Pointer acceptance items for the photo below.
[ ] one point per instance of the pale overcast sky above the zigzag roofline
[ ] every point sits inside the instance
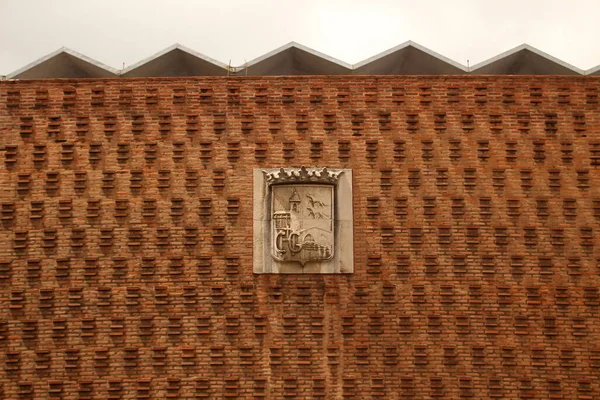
(117, 32)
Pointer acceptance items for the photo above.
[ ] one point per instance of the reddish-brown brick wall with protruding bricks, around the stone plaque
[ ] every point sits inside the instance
(126, 228)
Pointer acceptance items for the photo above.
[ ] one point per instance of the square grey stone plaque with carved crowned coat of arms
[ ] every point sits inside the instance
(303, 220)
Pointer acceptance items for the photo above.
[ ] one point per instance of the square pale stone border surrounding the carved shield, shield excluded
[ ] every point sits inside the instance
(343, 257)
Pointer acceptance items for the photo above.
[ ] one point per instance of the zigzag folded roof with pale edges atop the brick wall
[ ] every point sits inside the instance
(293, 58)
